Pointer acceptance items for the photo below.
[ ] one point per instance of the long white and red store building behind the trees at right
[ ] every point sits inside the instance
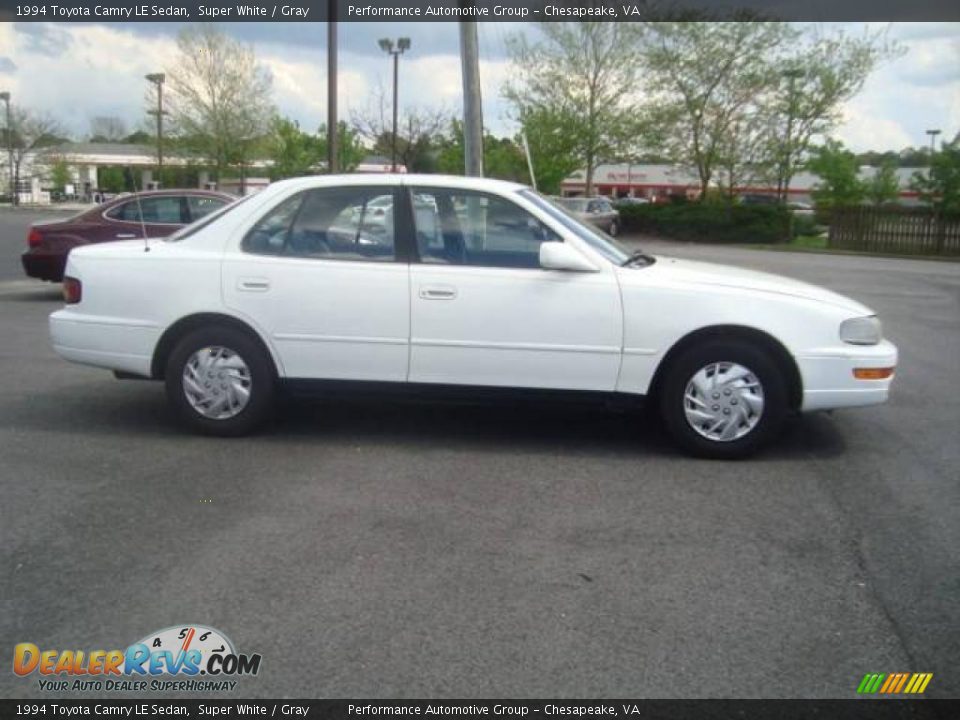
(659, 183)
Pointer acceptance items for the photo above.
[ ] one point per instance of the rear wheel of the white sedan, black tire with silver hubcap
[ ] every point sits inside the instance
(245, 396)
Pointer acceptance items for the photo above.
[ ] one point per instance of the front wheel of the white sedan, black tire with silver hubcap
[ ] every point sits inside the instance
(754, 404)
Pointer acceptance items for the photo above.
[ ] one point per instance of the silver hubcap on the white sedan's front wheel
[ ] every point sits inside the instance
(723, 401)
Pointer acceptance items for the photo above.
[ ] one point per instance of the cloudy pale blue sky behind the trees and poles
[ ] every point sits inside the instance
(78, 71)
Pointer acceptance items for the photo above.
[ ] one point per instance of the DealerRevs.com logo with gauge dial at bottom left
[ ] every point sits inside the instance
(183, 657)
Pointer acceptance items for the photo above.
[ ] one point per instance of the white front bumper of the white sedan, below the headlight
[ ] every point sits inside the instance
(829, 382)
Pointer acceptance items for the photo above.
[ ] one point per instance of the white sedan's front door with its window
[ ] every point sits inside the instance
(483, 311)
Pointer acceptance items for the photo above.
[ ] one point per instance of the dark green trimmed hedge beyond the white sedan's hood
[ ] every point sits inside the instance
(710, 222)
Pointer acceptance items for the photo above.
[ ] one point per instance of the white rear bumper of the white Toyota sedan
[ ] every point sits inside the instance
(112, 343)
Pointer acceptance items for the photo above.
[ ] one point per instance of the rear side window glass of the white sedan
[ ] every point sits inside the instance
(328, 223)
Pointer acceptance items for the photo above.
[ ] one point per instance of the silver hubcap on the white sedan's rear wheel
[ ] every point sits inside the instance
(216, 382)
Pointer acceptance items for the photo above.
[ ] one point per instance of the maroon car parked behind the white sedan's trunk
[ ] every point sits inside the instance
(164, 211)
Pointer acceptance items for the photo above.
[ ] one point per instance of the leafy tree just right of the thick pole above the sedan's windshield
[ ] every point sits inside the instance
(581, 79)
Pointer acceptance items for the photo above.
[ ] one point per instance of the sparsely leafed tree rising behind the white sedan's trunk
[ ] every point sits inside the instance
(220, 98)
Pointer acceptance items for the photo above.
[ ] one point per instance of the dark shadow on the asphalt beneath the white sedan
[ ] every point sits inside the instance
(139, 409)
